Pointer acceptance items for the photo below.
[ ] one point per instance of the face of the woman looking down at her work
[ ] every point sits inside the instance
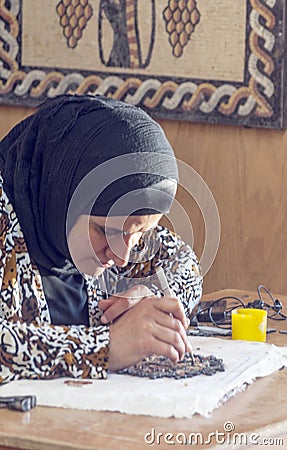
(97, 243)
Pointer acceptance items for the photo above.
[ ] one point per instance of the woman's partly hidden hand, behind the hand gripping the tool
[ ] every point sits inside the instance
(116, 305)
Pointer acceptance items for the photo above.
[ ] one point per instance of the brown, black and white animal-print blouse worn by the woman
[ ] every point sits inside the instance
(30, 346)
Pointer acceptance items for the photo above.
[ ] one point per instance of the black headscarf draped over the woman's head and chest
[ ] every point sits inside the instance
(46, 157)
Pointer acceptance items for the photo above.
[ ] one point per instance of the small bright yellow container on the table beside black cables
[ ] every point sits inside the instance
(249, 324)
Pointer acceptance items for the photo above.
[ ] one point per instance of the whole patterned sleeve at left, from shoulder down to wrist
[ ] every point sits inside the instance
(37, 349)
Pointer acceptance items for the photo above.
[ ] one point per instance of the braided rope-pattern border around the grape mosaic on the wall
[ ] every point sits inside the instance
(259, 101)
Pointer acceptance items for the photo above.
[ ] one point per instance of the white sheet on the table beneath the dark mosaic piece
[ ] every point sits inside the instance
(244, 362)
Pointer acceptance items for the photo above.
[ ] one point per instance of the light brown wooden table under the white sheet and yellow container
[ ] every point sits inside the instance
(261, 408)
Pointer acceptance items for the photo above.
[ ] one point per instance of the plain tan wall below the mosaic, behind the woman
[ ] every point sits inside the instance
(246, 170)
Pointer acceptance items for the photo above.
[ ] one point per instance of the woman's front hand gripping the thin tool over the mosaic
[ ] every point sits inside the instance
(152, 326)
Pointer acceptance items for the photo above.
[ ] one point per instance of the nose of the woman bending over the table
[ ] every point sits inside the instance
(119, 248)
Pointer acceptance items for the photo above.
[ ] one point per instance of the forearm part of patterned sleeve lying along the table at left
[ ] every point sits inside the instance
(35, 352)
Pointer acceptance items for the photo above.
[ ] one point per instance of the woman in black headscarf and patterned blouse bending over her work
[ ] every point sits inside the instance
(84, 183)
